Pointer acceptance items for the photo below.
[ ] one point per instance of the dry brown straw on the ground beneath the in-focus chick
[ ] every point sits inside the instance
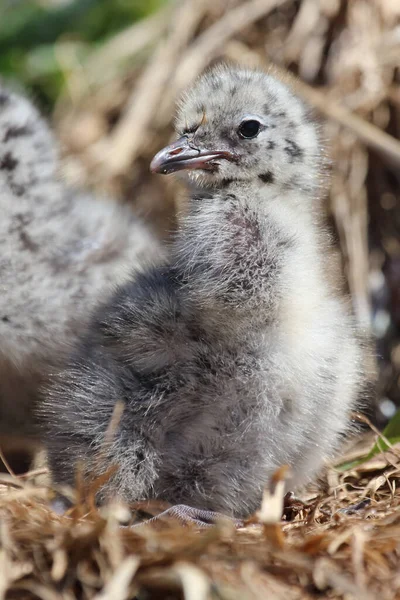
(341, 542)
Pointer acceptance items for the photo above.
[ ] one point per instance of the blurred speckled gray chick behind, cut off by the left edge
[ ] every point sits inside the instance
(60, 250)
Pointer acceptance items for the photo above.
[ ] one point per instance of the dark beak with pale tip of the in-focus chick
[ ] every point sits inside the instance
(182, 155)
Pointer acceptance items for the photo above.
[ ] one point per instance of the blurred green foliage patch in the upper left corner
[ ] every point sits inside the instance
(32, 33)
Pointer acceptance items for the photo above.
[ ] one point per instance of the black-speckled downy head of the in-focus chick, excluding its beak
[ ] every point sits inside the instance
(261, 130)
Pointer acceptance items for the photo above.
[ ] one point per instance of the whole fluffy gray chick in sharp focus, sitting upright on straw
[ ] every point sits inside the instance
(237, 356)
